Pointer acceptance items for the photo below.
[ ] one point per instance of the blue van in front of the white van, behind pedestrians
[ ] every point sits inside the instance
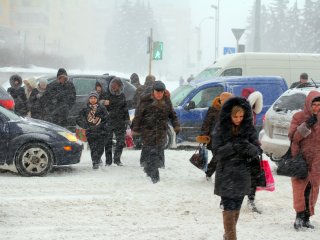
(191, 101)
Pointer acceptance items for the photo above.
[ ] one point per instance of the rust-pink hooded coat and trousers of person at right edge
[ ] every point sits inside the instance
(308, 141)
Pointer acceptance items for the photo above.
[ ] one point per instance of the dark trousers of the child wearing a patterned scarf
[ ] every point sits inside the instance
(97, 144)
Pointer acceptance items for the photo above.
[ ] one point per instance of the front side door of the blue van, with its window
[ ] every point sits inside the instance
(191, 117)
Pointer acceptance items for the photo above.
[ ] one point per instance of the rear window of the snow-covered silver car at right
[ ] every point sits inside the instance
(292, 102)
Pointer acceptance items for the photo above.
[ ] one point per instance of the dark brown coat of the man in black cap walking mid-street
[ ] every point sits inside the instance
(151, 120)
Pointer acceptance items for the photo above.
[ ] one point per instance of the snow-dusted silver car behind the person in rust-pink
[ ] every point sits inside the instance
(274, 135)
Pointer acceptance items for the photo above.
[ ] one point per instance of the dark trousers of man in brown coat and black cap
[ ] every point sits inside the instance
(153, 159)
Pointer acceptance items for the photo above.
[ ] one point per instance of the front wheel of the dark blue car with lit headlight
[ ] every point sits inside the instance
(34, 159)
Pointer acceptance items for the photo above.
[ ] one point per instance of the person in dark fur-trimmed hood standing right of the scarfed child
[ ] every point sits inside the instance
(116, 106)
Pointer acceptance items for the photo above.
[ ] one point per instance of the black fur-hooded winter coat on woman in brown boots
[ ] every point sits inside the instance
(233, 172)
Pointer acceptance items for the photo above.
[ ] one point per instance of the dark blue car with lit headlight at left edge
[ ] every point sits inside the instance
(34, 146)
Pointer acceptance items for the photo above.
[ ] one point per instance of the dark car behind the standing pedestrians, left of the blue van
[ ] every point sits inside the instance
(84, 84)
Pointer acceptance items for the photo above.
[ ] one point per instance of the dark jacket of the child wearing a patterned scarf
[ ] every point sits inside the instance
(92, 129)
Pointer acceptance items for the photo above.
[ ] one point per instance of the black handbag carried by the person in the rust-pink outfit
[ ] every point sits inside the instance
(292, 167)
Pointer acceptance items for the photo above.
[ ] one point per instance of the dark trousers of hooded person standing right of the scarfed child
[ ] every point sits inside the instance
(119, 133)
